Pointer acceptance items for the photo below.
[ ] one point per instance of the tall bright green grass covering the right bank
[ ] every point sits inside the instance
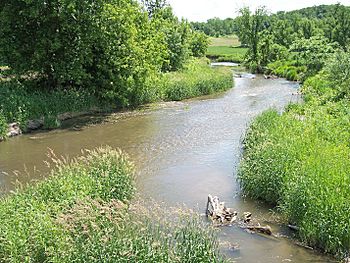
(299, 161)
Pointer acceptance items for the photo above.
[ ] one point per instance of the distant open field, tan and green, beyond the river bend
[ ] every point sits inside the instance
(226, 49)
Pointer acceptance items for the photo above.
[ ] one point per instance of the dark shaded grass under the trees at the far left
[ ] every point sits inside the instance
(20, 104)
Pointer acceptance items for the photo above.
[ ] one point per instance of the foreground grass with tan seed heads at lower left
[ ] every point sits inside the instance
(82, 213)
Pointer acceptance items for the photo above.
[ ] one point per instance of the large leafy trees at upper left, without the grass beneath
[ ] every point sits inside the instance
(113, 48)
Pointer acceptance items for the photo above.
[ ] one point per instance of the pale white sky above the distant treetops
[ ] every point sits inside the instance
(202, 10)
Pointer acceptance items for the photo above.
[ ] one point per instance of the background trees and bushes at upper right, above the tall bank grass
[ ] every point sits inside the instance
(297, 39)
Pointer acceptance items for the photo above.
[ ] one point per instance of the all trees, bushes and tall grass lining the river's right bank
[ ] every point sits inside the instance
(299, 160)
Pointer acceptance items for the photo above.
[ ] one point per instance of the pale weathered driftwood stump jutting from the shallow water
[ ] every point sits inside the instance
(219, 213)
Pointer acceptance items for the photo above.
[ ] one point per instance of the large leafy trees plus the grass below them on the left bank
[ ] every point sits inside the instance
(68, 56)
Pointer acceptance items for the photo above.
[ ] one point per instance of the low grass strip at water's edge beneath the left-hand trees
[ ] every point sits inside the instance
(47, 109)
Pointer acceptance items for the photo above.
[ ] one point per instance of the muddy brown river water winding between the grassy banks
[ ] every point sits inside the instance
(183, 151)
